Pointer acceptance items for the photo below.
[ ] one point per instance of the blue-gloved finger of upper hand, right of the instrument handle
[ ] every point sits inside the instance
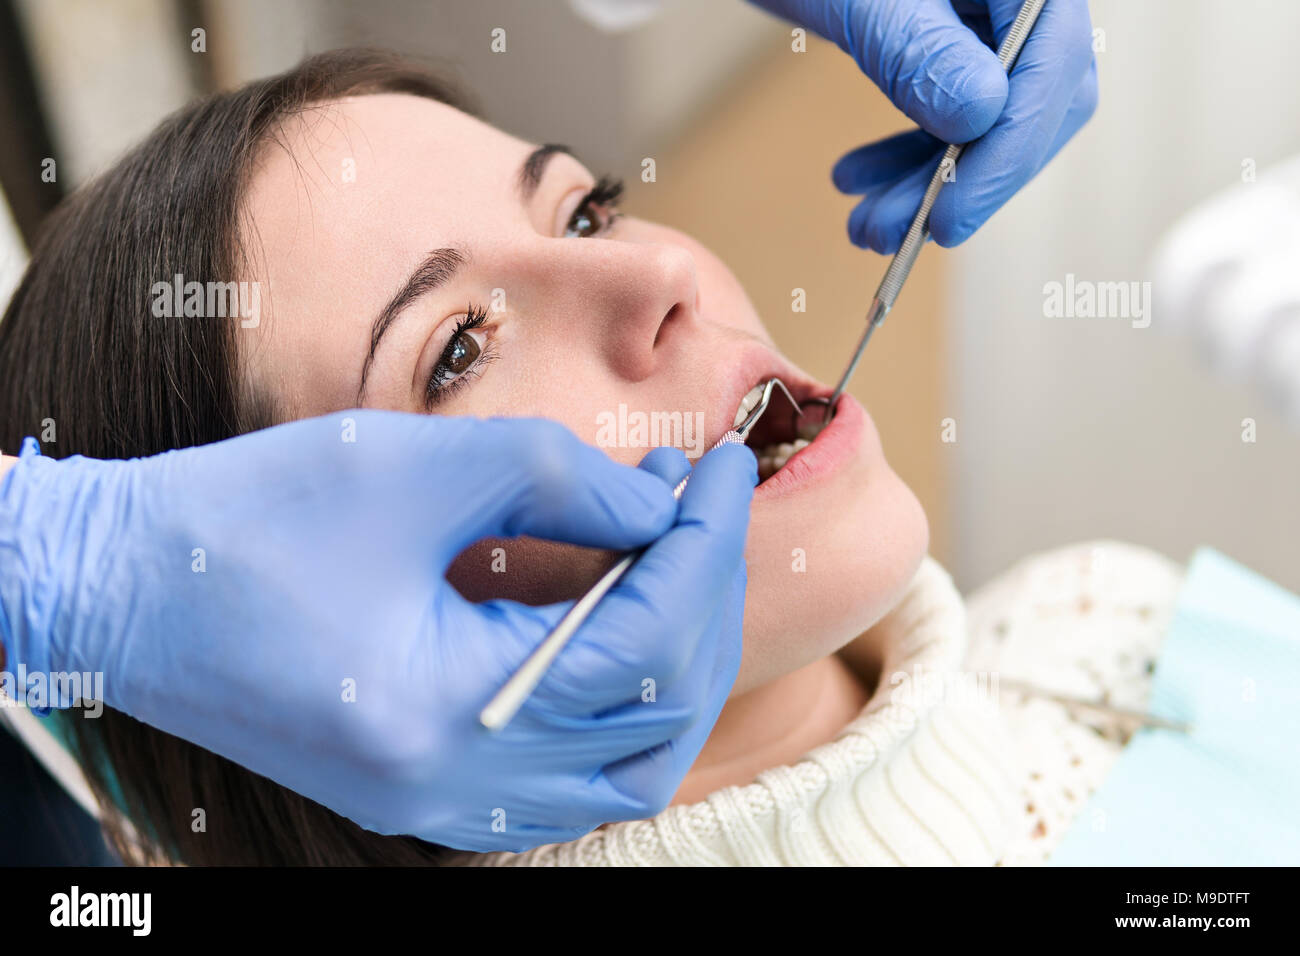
(1052, 96)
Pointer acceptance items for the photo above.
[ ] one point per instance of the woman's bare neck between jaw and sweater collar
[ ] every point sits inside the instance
(775, 725)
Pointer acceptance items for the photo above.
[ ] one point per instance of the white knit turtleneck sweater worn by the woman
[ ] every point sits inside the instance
(938, 771)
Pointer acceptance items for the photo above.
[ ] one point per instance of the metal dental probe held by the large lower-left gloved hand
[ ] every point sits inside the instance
(502, 708)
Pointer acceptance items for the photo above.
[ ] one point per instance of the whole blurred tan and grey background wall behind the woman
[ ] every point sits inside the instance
(1067, 429)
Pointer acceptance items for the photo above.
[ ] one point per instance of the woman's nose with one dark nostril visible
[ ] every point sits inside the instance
(636, 299)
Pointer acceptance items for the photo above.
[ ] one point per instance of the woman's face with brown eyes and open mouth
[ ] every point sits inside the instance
(393, 222)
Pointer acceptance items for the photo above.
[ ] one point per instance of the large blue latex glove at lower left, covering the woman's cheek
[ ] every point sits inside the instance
(324, 565)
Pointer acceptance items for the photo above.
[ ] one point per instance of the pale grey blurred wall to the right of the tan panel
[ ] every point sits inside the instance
(1072, 429)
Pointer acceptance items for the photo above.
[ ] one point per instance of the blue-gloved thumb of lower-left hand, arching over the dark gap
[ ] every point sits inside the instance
(532, 477)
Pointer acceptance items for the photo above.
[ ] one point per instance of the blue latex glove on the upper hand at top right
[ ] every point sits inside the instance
(937, 62)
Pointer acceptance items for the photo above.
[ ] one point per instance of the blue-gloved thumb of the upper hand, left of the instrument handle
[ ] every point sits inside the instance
(921, 55)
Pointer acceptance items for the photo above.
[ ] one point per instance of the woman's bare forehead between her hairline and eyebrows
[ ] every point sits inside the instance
(341, 206)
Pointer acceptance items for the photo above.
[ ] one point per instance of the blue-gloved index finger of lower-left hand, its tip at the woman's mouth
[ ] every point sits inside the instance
(652, 624)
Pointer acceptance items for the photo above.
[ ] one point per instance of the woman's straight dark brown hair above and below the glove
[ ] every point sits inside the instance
(79, 345)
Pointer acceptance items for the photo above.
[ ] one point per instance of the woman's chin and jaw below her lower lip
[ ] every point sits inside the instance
(816, 585)
